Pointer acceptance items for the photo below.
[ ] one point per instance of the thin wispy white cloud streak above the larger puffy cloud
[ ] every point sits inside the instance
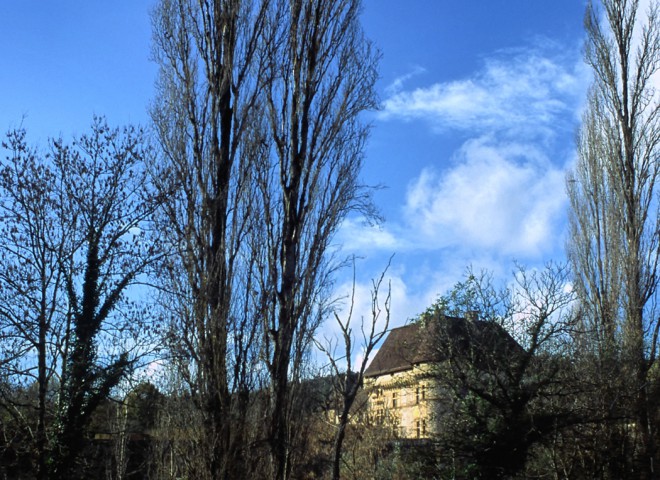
(523, 91)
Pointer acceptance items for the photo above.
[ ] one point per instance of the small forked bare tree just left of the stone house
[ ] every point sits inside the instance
(349, 379)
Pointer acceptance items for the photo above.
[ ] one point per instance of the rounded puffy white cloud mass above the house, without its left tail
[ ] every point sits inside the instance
(500, 197)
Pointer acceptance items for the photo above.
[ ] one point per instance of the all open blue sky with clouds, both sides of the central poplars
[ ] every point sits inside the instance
(480, 102)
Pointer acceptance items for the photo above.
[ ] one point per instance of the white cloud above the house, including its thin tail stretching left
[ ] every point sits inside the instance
(497, 198)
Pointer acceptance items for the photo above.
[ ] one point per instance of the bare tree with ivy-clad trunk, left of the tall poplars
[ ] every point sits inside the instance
(108, 205)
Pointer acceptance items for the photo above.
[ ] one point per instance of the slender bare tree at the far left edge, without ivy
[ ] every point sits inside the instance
(33, 245)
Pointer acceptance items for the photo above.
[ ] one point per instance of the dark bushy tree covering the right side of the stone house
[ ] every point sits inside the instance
(505, 372)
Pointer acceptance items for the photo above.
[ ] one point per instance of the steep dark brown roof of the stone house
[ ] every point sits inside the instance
(426, 341)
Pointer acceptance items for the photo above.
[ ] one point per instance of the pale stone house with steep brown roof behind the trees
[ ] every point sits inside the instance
(401, 381)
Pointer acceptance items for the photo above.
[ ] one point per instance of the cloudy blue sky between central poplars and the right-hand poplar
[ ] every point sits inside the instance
(480, 103)
